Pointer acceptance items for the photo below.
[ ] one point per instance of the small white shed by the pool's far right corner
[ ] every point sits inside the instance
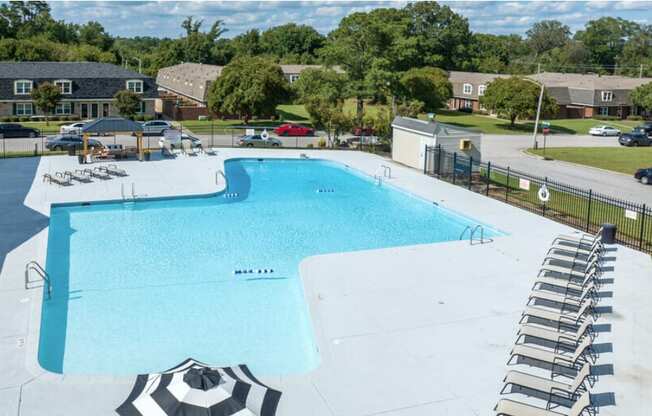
(410, 137)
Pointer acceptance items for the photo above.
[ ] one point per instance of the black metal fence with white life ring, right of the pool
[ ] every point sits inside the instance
(577, 207)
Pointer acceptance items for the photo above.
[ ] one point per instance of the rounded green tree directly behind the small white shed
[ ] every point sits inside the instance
(428, 85)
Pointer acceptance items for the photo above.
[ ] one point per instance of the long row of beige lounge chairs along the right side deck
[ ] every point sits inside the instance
(557, 333)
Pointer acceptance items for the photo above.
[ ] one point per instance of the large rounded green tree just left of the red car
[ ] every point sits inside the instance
(247, 87)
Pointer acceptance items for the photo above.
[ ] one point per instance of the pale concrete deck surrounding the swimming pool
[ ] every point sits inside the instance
(417, 330)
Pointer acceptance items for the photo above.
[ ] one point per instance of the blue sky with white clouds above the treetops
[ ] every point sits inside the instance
(163, 18)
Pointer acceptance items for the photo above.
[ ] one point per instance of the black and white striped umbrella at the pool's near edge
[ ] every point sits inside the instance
(194, 389)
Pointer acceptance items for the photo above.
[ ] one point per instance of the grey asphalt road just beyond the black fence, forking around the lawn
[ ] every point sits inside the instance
(508, 151)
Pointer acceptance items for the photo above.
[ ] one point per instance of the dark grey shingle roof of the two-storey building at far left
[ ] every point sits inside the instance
(65, 70)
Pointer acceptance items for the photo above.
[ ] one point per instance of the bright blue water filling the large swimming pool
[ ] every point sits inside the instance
(140, 287)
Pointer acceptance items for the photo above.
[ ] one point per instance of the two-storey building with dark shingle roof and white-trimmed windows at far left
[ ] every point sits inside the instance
(87, 88)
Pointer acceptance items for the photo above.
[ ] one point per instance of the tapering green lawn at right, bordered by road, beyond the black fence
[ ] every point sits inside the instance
(618, 159)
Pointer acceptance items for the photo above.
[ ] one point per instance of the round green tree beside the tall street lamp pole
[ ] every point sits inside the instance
(516, 98)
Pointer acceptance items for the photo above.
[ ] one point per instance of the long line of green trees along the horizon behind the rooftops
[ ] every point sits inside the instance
(388, 40)
